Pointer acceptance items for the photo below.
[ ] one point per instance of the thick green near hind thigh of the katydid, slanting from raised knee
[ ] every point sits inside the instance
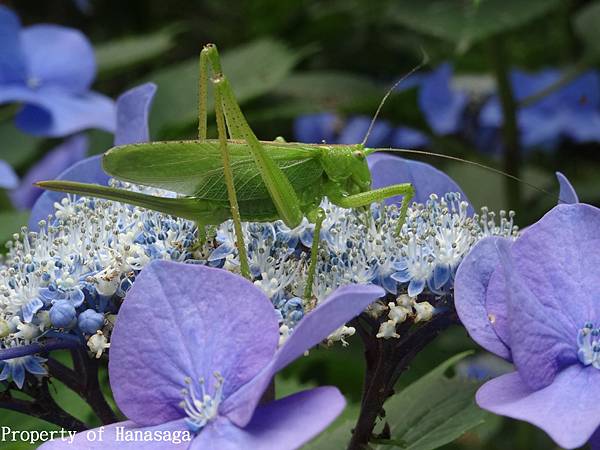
(280, 189)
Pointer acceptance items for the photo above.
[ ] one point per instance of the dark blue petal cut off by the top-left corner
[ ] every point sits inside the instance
(12, 62)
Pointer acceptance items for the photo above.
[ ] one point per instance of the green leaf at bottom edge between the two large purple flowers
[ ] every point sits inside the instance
(434, 410)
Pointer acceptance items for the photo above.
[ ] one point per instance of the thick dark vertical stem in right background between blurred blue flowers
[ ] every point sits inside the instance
(510, 130)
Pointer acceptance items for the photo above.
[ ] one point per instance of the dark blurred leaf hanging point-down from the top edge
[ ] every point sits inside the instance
(465, 23)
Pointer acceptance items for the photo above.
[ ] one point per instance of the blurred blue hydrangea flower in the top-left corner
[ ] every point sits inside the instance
(49, 69)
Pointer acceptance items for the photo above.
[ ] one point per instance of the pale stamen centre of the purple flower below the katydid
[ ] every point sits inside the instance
(199, 406)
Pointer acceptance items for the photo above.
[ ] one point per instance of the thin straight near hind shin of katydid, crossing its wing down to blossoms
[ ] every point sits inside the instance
(228, 175)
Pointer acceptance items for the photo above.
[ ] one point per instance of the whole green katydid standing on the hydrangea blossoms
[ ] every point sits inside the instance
(237, 176)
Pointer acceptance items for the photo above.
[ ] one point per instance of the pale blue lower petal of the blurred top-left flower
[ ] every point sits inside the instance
(52, 112)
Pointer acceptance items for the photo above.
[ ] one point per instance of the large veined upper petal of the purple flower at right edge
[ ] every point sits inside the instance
(552, 272)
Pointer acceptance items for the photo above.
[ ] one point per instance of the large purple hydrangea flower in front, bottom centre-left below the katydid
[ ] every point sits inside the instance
(201, 361)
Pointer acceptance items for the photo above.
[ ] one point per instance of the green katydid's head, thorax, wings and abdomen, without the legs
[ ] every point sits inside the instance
(194, 169)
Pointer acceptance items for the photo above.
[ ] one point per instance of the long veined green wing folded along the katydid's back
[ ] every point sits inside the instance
(195, 168)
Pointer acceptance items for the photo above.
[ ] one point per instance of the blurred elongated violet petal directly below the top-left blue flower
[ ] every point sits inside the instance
(48, 168)
